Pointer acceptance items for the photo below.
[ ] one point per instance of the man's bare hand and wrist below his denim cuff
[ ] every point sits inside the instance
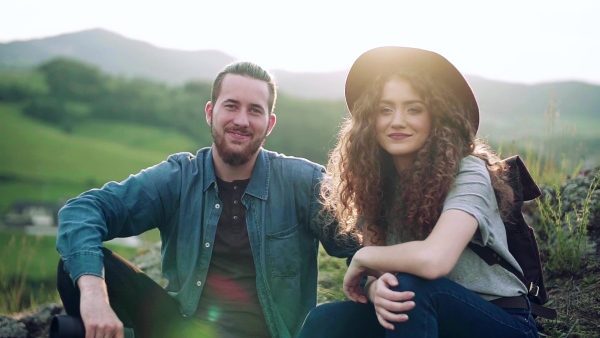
(98, 317)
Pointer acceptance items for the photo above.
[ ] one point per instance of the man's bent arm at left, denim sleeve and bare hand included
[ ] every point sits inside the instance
(141, 202)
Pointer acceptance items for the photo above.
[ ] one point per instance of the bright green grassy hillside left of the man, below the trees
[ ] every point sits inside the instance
(41, 162)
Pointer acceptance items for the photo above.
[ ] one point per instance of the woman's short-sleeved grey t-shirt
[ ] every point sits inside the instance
(473, 193)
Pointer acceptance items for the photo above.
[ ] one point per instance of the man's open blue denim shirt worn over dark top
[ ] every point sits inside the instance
(179, 197)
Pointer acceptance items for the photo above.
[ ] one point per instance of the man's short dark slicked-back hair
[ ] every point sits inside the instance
(248, 69)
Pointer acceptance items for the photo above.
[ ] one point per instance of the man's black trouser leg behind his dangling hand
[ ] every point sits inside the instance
(139, 302)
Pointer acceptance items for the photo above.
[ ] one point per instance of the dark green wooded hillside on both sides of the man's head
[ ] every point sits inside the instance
(64, 92)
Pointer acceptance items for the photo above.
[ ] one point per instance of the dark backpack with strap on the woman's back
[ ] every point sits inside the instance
(521, 240)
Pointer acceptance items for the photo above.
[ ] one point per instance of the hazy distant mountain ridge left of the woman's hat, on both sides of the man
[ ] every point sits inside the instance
(117, 54)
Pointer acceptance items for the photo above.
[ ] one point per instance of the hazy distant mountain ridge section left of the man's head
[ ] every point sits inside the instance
(116, 54)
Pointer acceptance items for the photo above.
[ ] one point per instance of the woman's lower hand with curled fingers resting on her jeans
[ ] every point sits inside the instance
(389, 305)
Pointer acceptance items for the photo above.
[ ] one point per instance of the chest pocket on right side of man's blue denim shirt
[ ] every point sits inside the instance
(284, 253)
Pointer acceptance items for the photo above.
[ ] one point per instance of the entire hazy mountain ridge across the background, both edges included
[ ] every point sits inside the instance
(500, 102)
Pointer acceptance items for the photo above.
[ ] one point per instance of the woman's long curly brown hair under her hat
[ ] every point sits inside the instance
(360, 191)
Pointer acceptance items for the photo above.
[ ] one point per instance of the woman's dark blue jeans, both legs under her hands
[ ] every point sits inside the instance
(443, 309)
